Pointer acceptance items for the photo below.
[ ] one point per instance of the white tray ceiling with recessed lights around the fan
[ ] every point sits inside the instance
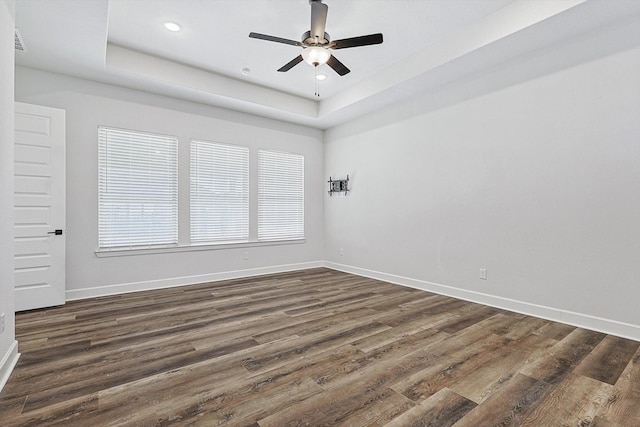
(427, 43)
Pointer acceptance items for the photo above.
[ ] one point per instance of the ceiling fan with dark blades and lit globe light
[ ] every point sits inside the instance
(316, 43)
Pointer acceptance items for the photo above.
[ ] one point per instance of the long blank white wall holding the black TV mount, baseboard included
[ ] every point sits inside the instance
(538, 182)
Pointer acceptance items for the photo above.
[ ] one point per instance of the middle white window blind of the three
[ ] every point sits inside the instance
(219, 192)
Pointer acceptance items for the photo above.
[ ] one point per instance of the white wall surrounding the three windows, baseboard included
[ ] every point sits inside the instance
(89, 105)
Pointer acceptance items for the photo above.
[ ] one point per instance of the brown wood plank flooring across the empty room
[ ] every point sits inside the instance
(312, 348)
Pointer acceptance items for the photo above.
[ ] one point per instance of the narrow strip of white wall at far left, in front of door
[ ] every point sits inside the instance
(8, 345)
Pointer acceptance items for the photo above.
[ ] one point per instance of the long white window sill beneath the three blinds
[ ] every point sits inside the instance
(106, 253)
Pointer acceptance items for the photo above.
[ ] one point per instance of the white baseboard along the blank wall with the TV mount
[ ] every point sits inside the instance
(608, 326)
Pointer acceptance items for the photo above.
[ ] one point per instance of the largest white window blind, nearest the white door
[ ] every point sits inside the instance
(137, 189)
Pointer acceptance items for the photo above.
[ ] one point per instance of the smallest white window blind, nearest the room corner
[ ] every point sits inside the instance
(280, 195)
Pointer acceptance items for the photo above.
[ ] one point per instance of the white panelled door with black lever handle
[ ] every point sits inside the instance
(39, 206)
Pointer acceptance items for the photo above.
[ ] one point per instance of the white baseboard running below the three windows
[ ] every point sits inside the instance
(123, 288)
